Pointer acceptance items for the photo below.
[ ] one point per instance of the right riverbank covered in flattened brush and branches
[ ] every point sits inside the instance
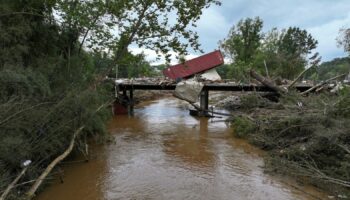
(305, 137)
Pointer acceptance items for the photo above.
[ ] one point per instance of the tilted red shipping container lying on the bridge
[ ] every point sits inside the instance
(194, 66)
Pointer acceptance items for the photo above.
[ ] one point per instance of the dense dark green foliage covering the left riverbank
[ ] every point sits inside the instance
(45, 92)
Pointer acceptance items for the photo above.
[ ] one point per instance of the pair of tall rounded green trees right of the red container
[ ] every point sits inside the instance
(284, 52)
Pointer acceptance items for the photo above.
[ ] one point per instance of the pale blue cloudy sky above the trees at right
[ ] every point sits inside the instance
(321, 18)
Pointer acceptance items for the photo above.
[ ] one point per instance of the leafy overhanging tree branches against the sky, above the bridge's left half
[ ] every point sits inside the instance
(147, 26)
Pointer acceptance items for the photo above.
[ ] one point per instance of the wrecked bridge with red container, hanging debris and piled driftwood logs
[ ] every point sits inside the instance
(193, 79)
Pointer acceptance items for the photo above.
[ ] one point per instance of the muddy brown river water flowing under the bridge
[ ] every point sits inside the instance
(163, 153)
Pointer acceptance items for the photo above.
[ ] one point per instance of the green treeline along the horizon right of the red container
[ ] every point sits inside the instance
(277, 53)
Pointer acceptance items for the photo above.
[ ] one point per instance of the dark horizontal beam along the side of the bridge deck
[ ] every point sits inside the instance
(208, 86)
